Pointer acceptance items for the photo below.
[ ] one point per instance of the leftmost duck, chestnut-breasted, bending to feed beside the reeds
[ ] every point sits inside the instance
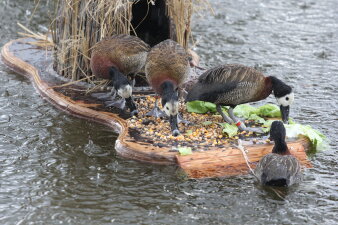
(115, 58)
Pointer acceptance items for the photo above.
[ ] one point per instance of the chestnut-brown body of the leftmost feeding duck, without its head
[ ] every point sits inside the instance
(124, 52)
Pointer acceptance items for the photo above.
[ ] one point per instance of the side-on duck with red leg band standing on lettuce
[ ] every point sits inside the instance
(234, 84)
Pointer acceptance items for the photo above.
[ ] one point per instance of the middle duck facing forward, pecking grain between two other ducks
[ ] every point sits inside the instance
(167, 67)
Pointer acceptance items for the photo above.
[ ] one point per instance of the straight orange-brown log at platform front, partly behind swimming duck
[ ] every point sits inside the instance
(230, 161)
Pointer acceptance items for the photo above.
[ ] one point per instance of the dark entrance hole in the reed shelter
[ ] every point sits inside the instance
(150, 22)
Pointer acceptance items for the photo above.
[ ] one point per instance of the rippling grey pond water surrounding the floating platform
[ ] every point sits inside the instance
(57, 169)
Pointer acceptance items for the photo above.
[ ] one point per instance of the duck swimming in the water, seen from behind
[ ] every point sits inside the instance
(278, 168)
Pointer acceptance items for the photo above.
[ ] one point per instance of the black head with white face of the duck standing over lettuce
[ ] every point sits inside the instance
(284, 97)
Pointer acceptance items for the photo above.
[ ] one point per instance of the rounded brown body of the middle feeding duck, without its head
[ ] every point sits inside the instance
(167, 61)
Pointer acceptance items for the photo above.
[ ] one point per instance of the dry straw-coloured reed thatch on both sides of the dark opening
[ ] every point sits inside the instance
(79, 24)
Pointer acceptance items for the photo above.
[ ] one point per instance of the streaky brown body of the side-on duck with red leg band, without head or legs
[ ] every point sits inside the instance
(231, 85)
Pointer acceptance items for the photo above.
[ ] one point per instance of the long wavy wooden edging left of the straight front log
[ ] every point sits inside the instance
(66, 104)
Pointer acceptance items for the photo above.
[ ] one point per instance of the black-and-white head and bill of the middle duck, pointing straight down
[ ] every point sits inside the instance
(170, 105)
